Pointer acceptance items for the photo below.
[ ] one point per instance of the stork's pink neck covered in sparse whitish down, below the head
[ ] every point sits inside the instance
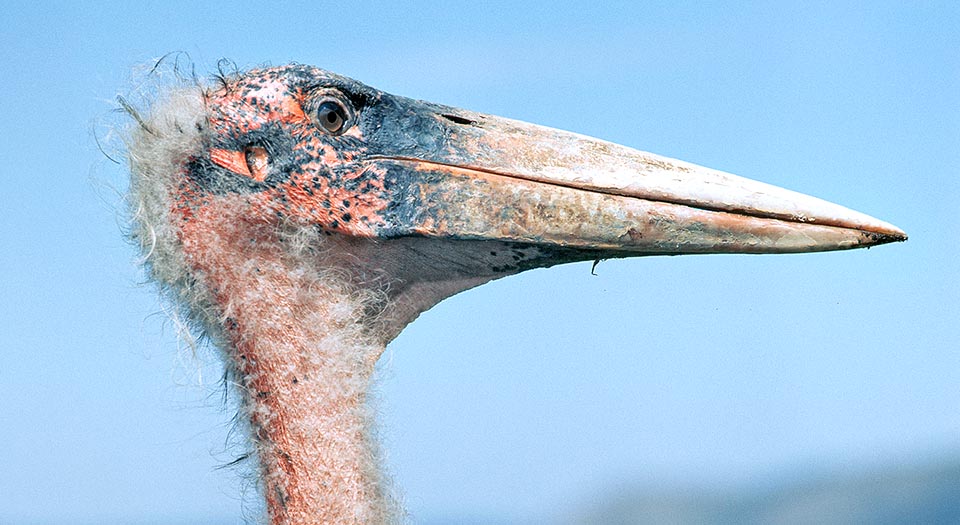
(304, 364)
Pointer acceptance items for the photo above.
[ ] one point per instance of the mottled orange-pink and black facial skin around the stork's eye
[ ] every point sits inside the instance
(311, 175)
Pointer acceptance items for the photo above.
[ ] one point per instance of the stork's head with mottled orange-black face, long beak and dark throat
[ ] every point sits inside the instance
(423, 200)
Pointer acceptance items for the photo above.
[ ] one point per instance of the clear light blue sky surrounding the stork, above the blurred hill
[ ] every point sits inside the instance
(538, 395)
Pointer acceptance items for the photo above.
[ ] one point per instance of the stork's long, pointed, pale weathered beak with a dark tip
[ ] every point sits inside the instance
(490, 178)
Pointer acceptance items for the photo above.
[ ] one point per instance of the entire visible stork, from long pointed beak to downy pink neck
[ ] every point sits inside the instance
(310, 218)
